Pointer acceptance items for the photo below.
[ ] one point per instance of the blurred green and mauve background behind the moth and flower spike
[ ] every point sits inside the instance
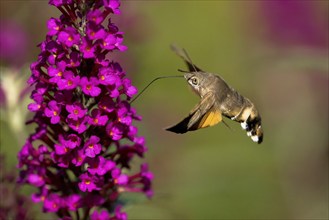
(274, 52)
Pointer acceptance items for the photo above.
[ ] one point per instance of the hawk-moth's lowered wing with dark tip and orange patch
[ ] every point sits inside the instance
(204, 114)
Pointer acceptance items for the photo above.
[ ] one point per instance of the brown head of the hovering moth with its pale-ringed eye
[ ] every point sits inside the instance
(199, 81)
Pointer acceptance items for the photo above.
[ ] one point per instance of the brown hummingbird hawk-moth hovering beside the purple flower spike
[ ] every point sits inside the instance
(217, 99)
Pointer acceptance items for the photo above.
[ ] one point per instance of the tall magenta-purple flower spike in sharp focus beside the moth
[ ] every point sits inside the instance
(83, 118)
